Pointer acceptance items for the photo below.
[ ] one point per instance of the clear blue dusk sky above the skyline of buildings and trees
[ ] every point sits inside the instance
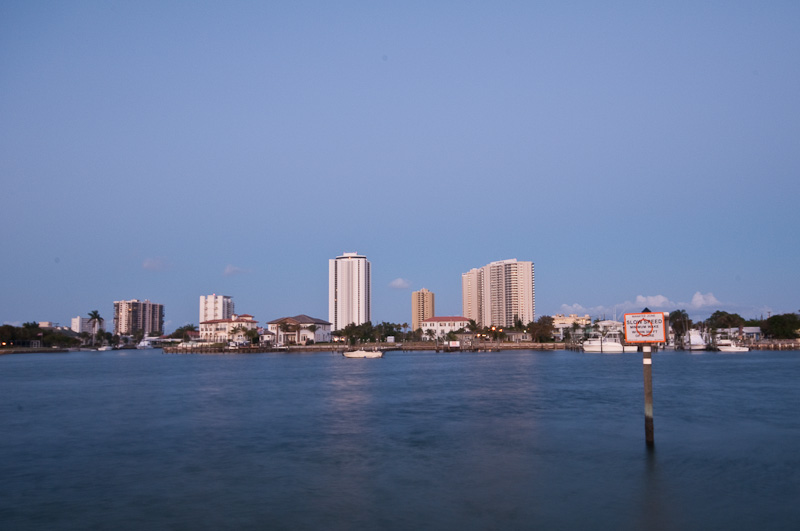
(637, 153)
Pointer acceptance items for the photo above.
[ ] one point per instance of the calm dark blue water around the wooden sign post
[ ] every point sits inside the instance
(511, 440)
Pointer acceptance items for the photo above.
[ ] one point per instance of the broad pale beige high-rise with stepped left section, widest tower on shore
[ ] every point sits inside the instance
(499, 293)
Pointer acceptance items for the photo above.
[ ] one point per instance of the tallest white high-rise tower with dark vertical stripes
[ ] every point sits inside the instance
(349, 290)
